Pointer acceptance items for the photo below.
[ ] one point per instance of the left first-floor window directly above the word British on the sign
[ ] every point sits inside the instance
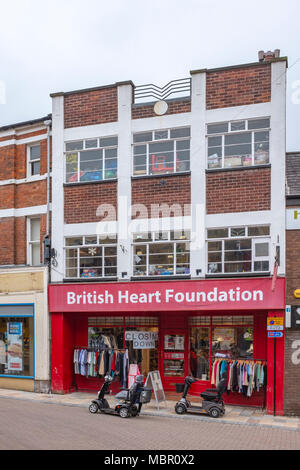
(90, 257)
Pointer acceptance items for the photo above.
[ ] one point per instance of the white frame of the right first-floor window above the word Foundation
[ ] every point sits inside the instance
(254, 240)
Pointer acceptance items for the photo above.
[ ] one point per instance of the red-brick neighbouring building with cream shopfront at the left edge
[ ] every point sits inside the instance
(24, 222)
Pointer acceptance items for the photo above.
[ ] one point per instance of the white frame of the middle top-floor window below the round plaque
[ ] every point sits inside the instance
(168, 139)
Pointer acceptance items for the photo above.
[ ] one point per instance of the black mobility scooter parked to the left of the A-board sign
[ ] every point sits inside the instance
(131, 400)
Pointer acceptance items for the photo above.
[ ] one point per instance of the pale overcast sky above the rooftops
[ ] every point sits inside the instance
(64, 45)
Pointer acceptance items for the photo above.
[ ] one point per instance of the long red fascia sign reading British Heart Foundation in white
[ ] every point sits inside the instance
(206, 295)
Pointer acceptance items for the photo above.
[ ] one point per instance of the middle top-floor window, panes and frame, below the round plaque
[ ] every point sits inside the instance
(162, 151)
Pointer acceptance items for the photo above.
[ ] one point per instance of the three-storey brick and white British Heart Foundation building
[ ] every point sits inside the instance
(168, 214)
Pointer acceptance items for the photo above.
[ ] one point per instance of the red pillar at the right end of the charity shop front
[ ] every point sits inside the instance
(274, 394)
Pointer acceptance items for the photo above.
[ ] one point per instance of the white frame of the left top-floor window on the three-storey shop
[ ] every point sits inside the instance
(85, 148)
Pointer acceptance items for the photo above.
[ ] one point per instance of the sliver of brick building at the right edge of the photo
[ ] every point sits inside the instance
(292, 332)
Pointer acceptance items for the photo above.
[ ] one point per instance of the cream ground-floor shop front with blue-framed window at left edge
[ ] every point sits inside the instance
(24, 330)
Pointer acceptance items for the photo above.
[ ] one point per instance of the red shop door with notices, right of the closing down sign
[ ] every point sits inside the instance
(173, 357)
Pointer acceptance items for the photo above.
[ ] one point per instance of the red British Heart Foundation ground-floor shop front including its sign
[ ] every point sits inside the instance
(180, 328)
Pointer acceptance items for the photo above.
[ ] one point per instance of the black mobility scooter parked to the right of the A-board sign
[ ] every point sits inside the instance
(212, 403)
